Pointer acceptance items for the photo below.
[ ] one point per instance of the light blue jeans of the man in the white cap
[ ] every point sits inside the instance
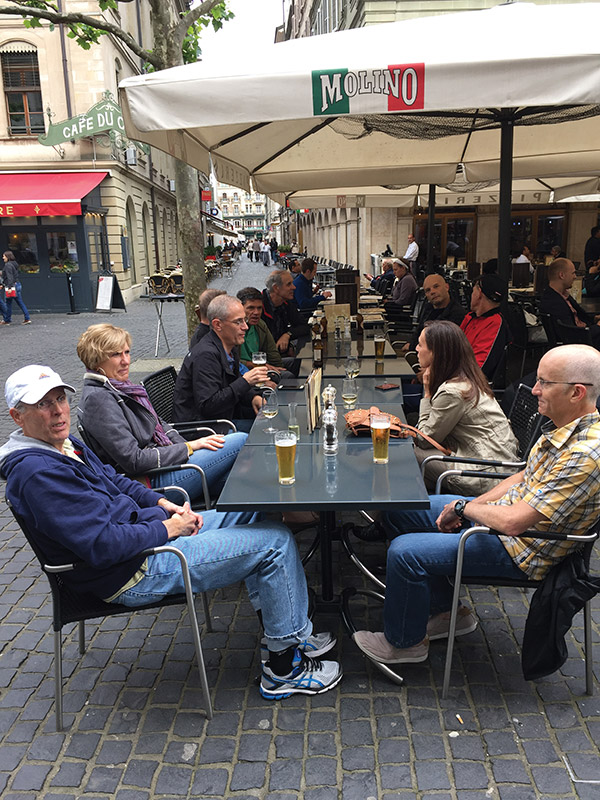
(235, 547)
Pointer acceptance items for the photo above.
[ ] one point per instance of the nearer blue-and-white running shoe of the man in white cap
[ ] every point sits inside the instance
(308, 676)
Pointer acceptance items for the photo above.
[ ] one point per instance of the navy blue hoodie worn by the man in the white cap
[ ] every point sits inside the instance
(83, 512)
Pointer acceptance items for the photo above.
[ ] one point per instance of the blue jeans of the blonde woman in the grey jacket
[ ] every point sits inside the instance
(215, 463)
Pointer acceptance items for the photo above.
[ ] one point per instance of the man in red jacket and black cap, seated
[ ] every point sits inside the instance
(484, 325)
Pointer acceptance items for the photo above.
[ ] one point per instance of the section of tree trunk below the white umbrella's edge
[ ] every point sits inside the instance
(192, 243)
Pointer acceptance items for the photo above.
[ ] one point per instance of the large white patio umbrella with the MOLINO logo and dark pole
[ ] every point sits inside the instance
(390, 104)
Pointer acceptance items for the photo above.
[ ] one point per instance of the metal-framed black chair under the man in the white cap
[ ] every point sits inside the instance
(71, 606)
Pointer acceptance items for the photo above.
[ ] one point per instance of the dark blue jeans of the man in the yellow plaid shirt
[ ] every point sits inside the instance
(419, 561)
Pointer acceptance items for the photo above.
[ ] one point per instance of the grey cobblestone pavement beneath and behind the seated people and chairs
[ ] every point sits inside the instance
(135, 728)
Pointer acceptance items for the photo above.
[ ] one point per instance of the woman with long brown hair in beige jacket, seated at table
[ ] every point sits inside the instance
(458, 408)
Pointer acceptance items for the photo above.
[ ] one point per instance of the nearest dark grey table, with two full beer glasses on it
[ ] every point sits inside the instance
(347, 481)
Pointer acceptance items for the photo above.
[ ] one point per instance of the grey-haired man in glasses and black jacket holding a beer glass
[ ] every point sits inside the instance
(210, 383)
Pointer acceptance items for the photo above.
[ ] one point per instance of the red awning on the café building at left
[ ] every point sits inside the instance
(45, 194)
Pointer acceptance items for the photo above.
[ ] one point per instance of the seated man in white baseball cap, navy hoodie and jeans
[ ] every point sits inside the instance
(80, 510)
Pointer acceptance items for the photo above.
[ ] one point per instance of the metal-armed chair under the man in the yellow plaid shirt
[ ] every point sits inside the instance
(586, 541)
